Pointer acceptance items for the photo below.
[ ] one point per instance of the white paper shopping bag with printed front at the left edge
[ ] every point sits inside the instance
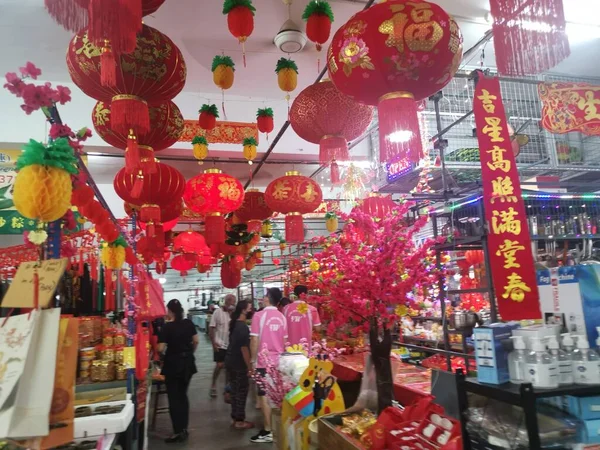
(24, 413)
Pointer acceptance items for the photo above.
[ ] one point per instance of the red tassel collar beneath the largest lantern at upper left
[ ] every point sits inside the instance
(129, 112)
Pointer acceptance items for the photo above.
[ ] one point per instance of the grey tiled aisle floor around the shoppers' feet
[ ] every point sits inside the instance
(209, 418)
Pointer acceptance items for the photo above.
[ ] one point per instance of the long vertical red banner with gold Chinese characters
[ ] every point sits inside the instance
(509, 244)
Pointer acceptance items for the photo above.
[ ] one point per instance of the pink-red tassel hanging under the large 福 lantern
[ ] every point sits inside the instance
(399, 132)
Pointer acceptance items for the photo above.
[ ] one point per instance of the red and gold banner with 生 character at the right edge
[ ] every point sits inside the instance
(570, 107)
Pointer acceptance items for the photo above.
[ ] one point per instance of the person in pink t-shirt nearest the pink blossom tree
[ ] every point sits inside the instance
(301, 318)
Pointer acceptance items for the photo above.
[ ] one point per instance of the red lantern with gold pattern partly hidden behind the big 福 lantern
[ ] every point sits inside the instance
(323, 115)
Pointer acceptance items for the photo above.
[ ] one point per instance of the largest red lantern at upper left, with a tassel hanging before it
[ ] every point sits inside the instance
(153, 73)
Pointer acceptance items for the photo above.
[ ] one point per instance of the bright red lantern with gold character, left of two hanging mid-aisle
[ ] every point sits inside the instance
(214, 194)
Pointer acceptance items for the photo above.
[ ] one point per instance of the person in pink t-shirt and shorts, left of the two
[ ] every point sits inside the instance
(267, 332)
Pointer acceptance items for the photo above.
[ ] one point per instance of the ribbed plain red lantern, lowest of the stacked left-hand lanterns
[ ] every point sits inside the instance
(150, 191)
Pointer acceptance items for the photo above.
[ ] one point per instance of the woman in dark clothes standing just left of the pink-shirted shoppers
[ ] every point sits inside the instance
(237, 363)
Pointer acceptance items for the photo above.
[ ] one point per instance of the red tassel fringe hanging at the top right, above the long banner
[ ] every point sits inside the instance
(529, 36)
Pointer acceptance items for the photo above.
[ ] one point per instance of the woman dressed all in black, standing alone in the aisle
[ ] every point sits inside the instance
(179, 337)
